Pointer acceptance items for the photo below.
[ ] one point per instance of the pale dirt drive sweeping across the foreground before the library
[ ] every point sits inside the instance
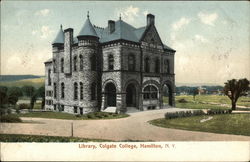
(134, 127)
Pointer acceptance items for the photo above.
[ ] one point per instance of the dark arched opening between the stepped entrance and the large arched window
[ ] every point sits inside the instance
(131, 95)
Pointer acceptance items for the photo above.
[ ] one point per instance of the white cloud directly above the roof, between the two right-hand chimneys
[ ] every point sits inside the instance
(128, 13)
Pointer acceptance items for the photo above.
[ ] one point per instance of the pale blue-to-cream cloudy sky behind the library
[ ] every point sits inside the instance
(211, 39)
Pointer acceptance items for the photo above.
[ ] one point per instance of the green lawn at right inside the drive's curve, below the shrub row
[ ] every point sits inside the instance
(237, 124)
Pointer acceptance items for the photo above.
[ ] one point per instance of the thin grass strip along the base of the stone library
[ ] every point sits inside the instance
(61, 115)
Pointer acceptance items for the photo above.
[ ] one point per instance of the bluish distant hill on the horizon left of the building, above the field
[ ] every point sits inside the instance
(7, 78)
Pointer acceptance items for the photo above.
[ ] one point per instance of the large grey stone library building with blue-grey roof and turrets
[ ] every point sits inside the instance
(118, 66)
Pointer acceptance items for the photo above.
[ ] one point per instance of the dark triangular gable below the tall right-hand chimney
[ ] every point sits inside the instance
(151, 36)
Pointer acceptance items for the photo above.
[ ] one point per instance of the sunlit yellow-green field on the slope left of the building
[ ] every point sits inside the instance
(37, 82)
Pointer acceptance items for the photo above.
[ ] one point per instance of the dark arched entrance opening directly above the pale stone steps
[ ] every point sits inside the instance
(110, 92)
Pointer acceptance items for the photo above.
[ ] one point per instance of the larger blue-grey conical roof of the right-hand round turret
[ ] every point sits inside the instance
(88, 29)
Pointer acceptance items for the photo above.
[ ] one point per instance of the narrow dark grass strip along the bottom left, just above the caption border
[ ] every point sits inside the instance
(39, 138)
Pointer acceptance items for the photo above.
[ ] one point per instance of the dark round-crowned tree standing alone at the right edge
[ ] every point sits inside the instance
(235, 89)
